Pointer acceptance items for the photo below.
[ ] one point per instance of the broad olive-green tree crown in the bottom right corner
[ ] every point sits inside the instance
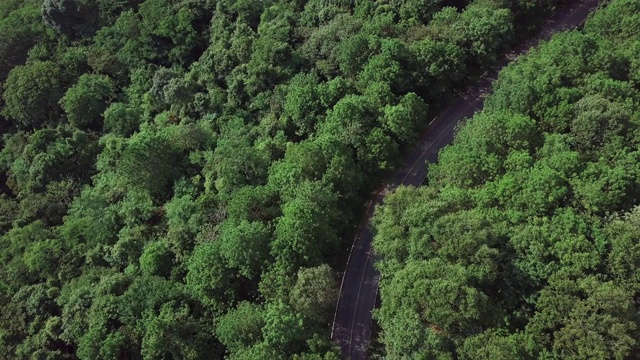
(594, 320)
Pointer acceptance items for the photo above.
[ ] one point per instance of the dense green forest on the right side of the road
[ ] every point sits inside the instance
(525, 241)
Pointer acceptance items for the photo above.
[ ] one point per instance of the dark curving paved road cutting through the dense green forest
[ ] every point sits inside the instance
(358, 292)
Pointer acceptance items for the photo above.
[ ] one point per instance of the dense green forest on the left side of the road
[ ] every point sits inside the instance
(177, 174)
